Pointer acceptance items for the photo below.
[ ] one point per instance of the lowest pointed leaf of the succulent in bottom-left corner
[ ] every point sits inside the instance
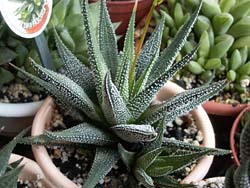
(9, 180)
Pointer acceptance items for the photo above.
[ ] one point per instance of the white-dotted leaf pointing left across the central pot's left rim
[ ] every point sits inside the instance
(81, 134)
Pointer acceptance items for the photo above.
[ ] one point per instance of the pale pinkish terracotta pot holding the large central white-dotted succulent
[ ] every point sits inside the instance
(41, 155)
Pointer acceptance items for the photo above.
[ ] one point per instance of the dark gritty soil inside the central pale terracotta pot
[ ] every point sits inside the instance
(75, 163)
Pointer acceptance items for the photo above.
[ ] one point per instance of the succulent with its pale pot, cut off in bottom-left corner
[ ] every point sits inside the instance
(14, 167)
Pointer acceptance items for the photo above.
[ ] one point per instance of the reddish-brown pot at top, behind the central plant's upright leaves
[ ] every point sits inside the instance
(120, 11)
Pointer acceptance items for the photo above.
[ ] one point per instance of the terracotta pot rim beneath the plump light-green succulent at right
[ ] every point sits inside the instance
(221, 109)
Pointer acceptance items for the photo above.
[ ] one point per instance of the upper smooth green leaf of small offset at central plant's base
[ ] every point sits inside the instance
(147, 159)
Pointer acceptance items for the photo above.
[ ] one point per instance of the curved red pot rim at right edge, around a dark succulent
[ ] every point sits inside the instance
(232, 135)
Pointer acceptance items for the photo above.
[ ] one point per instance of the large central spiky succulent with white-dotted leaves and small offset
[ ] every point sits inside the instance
(115, 109)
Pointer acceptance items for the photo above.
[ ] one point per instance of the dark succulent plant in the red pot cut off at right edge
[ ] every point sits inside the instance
(239, 177)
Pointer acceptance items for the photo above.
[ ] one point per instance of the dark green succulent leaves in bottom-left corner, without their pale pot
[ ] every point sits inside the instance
(9, 172)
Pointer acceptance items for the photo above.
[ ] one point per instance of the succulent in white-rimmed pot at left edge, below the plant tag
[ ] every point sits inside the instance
(18, 104)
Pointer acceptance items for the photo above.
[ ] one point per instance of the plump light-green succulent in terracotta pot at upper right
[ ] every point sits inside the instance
(222, 30)
